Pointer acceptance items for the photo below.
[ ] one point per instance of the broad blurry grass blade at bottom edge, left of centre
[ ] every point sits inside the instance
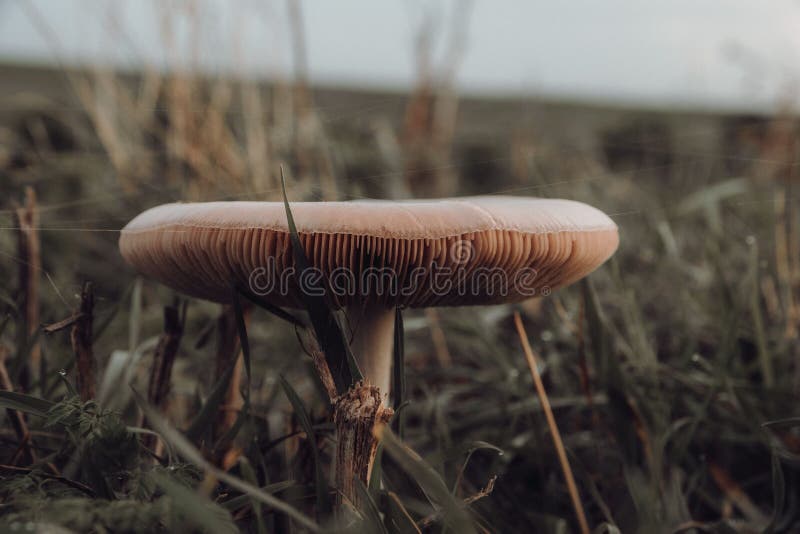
(193, 507)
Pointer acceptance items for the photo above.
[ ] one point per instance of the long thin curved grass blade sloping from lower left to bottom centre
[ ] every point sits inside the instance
(188, 451)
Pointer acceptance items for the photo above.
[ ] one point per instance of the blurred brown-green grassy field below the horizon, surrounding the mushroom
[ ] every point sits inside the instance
(673, 372)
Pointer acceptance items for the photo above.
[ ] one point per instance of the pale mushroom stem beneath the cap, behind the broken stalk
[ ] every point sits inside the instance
(372, 344)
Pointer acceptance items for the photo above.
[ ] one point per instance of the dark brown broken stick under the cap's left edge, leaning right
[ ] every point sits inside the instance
(163, 358)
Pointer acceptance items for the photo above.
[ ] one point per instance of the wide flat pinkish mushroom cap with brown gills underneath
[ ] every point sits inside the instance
(448, 252)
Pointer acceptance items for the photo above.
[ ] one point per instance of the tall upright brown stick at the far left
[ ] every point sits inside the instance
(28, 250)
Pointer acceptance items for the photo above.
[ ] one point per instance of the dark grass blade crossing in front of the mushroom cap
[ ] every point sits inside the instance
(328, 329)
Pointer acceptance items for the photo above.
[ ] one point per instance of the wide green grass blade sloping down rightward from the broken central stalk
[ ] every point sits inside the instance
(454, 514)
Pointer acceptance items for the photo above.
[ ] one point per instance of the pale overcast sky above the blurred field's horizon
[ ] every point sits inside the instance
(722, 53)
